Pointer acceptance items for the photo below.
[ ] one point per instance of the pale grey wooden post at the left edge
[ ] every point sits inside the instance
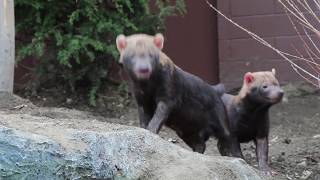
(7, 45)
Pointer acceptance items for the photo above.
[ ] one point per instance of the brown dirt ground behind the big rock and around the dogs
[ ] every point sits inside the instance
(294, 138)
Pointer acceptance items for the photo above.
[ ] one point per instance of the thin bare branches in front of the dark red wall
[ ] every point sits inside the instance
(292, 9)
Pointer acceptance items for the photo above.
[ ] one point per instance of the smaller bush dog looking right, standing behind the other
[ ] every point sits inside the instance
(248, 112)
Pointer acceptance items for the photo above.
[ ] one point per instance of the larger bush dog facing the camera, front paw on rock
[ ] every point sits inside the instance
(166, 94)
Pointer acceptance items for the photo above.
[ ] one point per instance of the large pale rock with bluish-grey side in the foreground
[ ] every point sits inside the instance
(34, 147)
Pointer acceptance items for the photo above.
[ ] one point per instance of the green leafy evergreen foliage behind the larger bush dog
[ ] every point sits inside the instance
(74, 40)
